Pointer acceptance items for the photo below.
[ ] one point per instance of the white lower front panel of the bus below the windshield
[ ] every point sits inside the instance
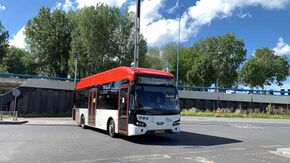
(155, 124)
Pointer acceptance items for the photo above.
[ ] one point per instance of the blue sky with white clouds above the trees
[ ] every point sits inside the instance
(261, 23)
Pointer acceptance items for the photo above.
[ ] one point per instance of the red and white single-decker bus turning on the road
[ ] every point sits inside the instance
(128, 101)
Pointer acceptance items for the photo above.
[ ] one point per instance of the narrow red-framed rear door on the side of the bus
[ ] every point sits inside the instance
(92, 107)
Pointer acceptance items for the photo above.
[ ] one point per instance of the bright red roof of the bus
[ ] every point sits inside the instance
(119, 73)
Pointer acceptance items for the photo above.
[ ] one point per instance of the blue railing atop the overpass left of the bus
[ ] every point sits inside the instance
(26, 76)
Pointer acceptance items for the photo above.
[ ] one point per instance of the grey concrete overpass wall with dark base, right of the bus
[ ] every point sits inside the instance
(202, 100)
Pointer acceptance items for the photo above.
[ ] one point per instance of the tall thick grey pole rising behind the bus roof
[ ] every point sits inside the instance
(137, 33)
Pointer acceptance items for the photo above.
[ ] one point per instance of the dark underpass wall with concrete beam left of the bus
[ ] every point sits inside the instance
(50, 96)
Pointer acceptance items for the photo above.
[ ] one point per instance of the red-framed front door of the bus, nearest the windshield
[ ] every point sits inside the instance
(123, 109)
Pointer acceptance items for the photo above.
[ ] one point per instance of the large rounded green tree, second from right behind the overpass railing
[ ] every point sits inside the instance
(223, 56)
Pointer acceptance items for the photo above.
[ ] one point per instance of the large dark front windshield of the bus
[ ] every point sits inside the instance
(158, 98)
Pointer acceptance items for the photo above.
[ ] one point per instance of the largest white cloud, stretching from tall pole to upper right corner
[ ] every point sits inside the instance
(159, 31)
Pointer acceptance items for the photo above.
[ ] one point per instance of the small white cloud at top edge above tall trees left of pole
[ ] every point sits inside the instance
(86, 3)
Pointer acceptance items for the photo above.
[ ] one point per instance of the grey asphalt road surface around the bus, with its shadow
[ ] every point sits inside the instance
(205, 140)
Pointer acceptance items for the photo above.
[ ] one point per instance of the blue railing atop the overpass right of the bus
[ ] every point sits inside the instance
(234, 90)
